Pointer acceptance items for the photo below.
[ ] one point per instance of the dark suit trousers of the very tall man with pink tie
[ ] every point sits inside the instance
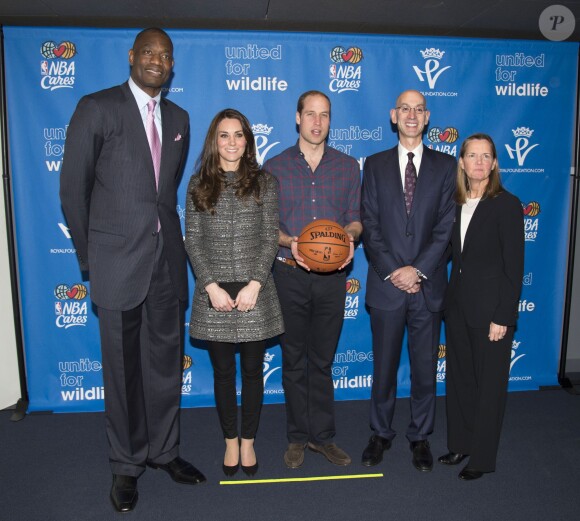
(142, 352)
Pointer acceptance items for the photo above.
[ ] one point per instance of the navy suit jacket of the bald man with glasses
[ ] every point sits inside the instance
(392, 239)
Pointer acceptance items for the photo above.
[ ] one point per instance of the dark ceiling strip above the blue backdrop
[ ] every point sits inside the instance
(472, 18)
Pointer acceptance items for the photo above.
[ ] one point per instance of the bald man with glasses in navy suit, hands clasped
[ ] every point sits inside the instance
(407, 211)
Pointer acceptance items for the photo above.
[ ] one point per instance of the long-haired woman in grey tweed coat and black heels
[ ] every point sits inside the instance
(232, 236)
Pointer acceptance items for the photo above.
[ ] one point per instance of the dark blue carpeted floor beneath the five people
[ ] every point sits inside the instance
(54, 468)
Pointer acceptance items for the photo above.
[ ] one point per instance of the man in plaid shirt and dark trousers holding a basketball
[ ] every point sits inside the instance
(316, 182)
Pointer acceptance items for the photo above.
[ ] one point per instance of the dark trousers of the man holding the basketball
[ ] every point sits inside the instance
(313, 310)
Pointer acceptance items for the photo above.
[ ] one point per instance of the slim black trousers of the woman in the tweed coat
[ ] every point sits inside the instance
(223, 359)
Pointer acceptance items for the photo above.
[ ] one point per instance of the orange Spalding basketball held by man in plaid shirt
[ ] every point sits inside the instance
(324, 245)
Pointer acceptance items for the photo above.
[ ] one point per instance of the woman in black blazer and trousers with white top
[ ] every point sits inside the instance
(481, 307)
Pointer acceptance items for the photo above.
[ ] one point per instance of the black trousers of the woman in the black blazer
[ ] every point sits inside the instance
(476, 381)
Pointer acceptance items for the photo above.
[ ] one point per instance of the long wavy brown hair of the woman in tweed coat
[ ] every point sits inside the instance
(212, 179)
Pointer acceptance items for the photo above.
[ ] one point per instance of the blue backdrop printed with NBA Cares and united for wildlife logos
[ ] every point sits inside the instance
(522, 93)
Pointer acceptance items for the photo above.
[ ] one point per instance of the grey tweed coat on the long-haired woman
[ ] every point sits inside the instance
(237, 243)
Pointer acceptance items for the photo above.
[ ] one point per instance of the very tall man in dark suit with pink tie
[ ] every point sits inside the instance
(124, 155)
